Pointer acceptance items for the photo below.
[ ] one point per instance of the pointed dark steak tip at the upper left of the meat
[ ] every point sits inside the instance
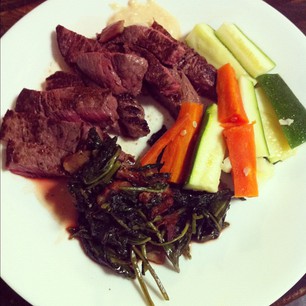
(72, 44)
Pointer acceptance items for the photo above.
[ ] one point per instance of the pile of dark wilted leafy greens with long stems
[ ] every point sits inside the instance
(126, 211)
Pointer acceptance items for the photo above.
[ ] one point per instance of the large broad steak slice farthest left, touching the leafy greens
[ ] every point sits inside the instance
(36, 145)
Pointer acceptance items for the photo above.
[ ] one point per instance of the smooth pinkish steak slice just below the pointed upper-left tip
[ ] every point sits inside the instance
(121, 73)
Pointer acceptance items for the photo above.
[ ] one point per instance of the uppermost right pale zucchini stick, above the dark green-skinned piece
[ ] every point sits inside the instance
(249, 55)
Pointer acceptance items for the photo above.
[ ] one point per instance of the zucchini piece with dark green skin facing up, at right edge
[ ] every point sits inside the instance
(289, 110)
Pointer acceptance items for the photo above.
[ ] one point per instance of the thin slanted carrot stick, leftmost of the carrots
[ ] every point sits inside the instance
(150, 157)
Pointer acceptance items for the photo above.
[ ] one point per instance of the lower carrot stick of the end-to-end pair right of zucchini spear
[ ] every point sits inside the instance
(242, 154)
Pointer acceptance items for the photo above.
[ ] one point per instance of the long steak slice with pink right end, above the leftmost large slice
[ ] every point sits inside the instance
(89, 104)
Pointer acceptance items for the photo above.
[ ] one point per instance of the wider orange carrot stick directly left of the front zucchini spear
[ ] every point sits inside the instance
(177, 153)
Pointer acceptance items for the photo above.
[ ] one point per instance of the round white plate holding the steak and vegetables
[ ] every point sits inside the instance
(257, 259)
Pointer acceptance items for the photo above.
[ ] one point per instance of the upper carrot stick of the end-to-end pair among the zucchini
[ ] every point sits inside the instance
(230, 105)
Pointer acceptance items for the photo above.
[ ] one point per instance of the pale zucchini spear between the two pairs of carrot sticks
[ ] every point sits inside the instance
(209, 153)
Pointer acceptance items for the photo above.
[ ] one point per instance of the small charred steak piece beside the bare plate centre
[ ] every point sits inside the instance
(132, 117)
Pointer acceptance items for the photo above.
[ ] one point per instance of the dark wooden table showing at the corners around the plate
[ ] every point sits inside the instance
(12, 10)
